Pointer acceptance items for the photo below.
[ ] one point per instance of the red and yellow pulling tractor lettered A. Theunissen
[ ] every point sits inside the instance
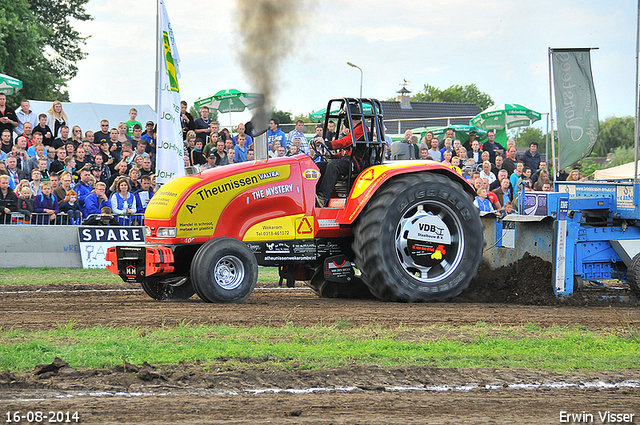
(409, 227)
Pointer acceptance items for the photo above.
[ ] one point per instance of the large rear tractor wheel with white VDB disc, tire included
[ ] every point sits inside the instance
(419, 239)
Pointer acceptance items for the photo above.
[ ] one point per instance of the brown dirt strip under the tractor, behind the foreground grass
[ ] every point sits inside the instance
(44, 308)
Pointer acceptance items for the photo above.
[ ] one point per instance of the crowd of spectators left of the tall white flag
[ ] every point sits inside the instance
(53, 174)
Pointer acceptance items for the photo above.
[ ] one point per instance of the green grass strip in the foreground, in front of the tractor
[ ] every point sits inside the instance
(289, 347)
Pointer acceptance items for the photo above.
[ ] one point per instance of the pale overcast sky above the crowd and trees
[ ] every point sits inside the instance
(499, 45)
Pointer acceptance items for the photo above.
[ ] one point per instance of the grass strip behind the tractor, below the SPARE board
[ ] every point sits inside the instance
(48, 275)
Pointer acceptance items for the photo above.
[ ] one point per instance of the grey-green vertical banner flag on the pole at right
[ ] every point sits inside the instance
(576, 104)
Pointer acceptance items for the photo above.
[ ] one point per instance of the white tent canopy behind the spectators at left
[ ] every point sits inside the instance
(88, 115)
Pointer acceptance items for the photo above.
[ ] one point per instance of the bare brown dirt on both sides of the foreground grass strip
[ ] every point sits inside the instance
(186, 394)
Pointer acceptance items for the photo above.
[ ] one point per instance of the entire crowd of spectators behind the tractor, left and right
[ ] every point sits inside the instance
(50, 173)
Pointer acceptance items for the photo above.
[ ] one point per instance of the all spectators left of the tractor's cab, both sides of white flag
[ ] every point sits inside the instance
(57, 174)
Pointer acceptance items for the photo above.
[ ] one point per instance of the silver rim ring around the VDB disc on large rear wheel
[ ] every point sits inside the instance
(450, 261)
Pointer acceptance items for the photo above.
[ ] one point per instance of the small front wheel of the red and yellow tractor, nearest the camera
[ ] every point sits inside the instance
(224, 270)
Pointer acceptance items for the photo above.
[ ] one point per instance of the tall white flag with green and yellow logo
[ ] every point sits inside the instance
(170, 148)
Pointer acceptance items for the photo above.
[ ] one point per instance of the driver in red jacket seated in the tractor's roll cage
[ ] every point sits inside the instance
(331, 169)
